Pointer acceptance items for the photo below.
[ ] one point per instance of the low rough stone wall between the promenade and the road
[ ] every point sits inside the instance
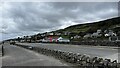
(77, 59)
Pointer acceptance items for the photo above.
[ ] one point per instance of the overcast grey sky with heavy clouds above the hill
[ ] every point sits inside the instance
(27, 18)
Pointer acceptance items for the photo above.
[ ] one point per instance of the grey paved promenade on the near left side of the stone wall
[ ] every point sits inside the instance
(17, 56)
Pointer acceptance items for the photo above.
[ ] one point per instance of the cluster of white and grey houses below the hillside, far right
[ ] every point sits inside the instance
(111, 35)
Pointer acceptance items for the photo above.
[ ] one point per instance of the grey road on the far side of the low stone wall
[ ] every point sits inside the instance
(100, 51)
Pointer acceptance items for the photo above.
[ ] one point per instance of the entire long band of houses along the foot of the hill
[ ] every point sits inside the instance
(52, 36)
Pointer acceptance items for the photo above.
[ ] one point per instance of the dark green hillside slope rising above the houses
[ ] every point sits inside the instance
(109, 24)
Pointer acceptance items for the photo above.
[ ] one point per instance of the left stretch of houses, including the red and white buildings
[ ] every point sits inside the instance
(47, 36)
